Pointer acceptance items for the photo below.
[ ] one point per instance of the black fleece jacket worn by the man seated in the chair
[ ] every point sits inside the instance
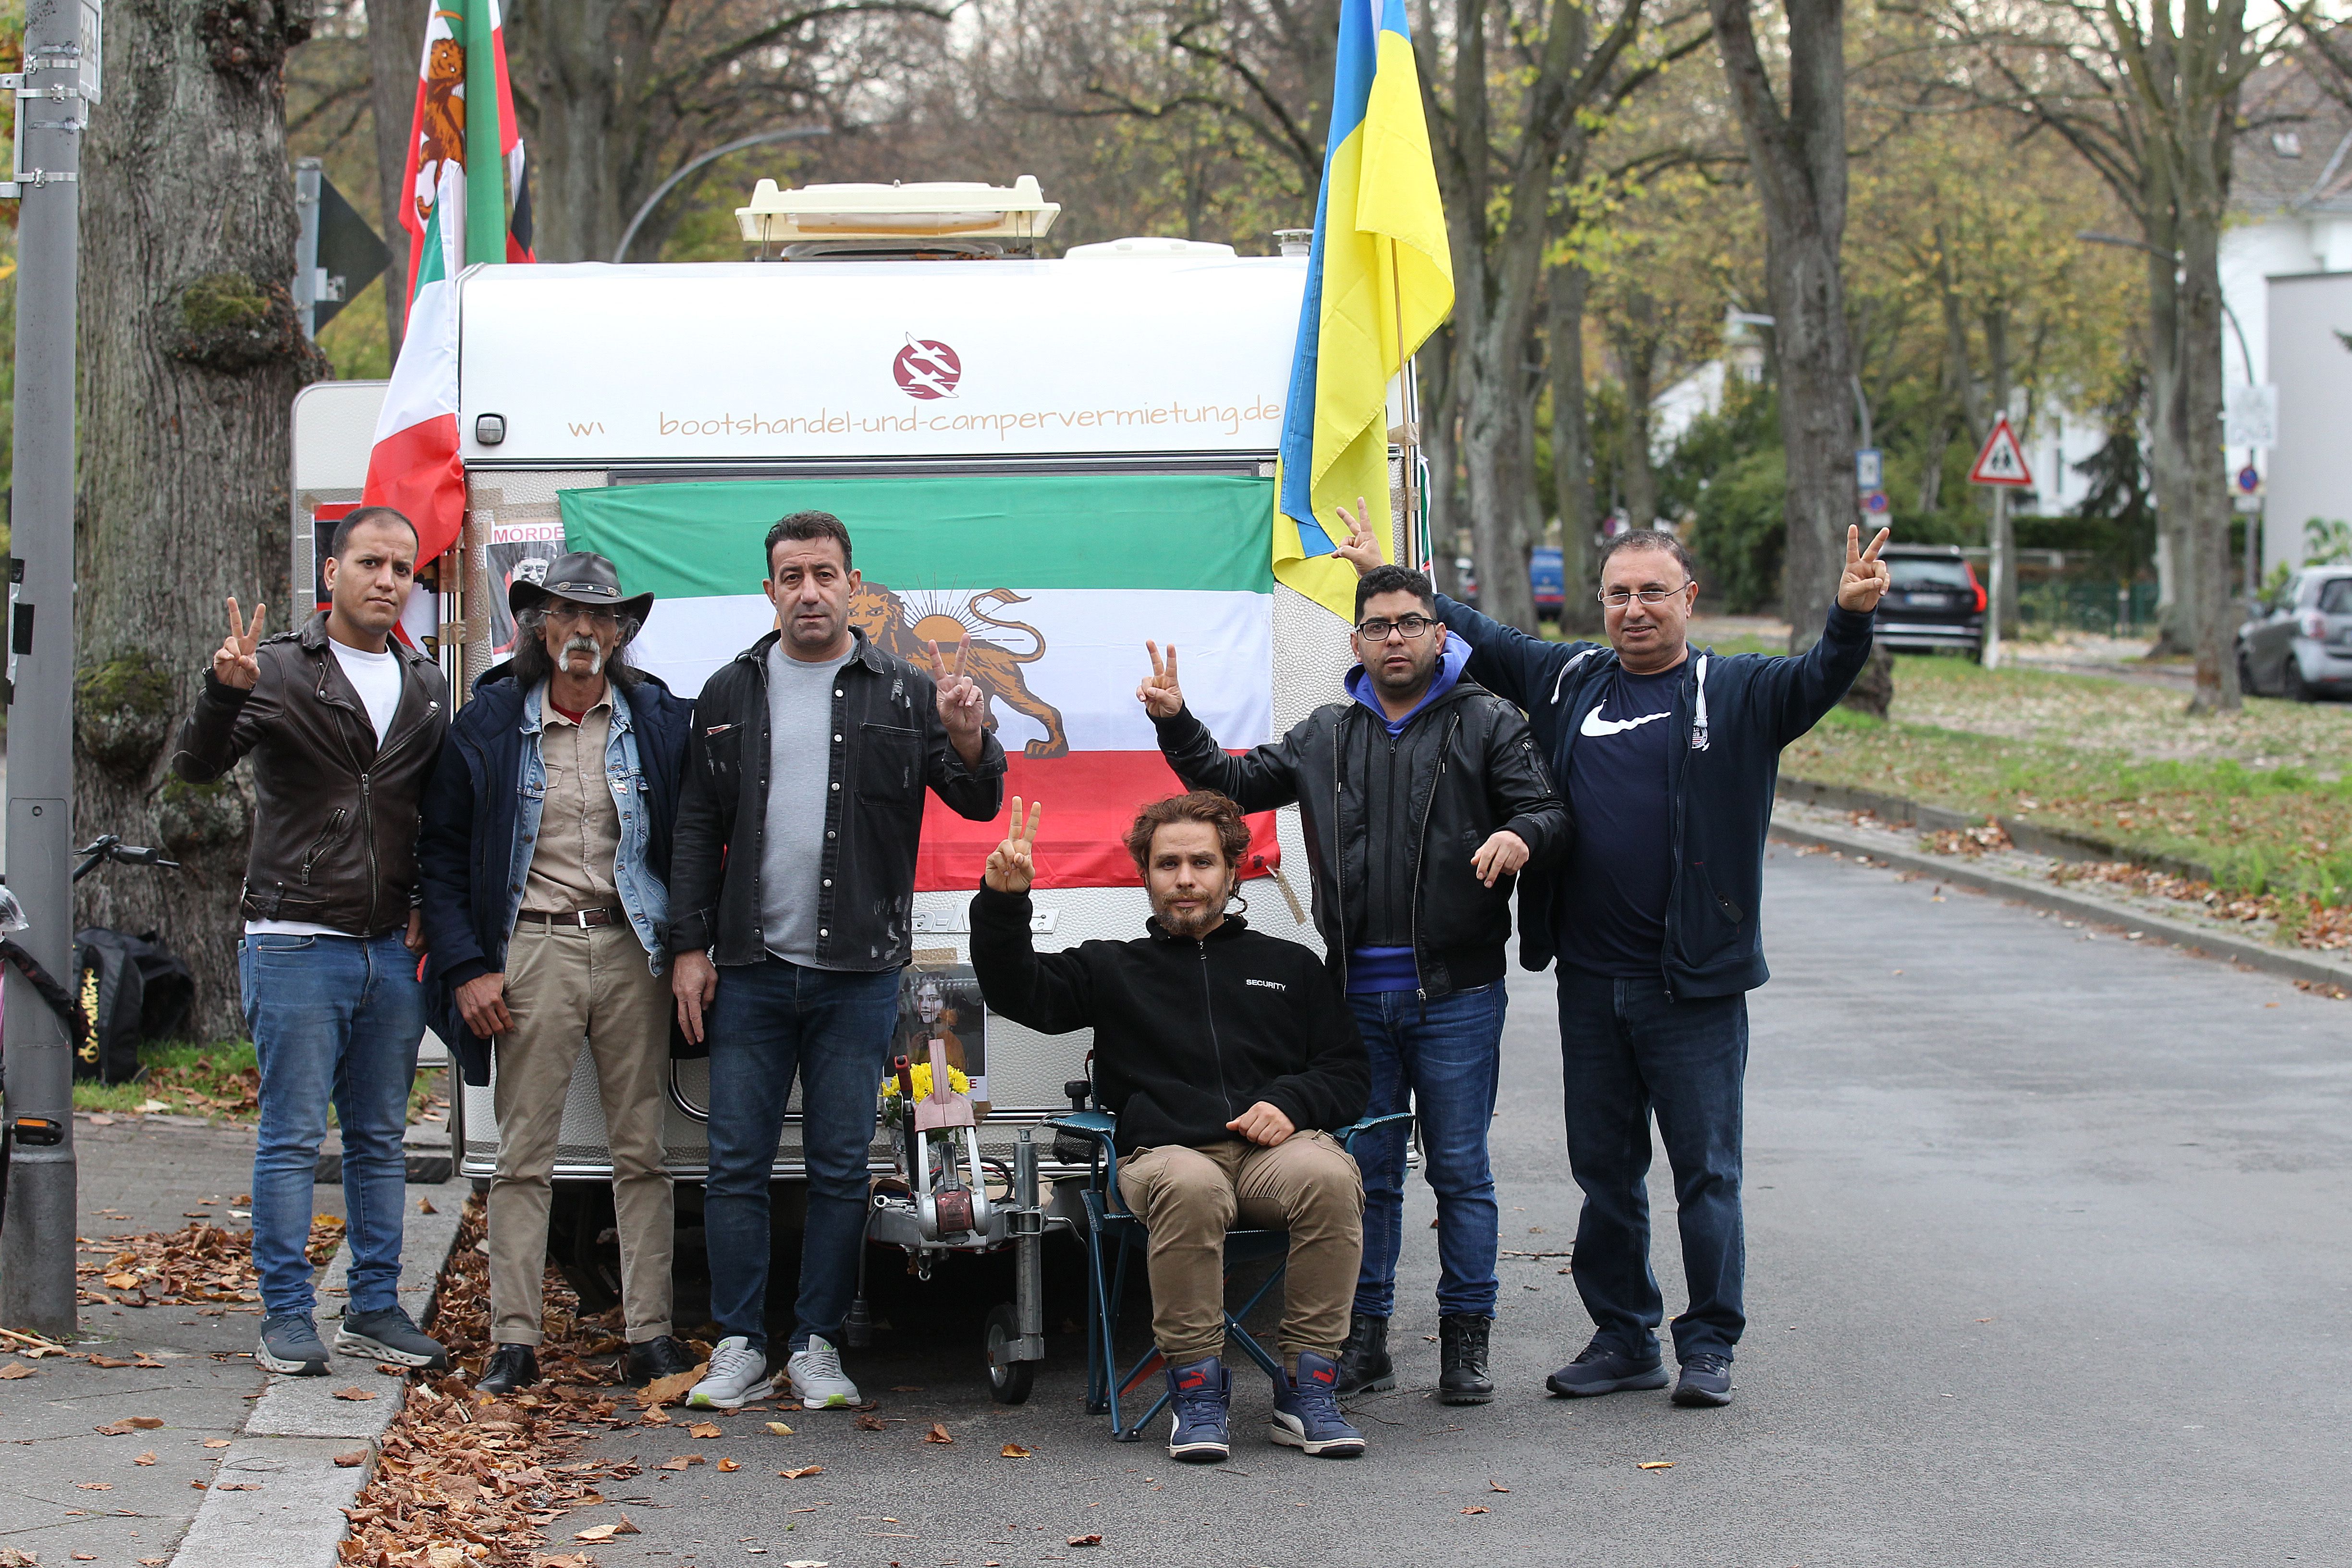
(1187, 1033)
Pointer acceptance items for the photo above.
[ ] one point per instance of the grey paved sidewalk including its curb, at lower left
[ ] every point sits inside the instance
(88, 1482)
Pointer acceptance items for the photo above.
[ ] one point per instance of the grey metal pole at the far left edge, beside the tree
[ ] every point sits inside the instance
(36, 1249)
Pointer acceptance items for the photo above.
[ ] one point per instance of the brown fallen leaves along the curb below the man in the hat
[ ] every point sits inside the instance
(474, 1482)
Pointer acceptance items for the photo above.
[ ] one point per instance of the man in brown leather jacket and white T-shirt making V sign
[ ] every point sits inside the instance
(342, 725)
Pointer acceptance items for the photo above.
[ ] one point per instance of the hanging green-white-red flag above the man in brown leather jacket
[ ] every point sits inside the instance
(465, 163)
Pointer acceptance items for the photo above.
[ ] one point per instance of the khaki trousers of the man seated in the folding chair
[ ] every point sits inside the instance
(1191, 1198)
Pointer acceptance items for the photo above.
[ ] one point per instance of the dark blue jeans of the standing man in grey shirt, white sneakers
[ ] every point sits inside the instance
(770, 1021)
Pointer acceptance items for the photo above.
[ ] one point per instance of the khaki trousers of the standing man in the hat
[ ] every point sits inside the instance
(563, 984)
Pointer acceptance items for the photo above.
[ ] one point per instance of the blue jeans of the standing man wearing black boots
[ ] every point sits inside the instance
(1448, 1061)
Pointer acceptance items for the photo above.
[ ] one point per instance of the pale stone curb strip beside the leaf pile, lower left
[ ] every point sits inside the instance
(298, 1428)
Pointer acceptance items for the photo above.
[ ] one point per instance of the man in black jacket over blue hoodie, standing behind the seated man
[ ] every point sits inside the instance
(1422, 796)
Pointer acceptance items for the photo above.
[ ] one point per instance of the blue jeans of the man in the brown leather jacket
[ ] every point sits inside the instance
(335, 1019)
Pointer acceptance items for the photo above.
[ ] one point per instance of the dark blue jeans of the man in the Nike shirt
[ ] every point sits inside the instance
(1626, 1052)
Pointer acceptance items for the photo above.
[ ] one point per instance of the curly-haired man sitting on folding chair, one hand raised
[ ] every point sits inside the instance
(1229, 1064)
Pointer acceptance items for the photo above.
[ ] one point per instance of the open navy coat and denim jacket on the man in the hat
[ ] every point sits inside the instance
(481, 817)
